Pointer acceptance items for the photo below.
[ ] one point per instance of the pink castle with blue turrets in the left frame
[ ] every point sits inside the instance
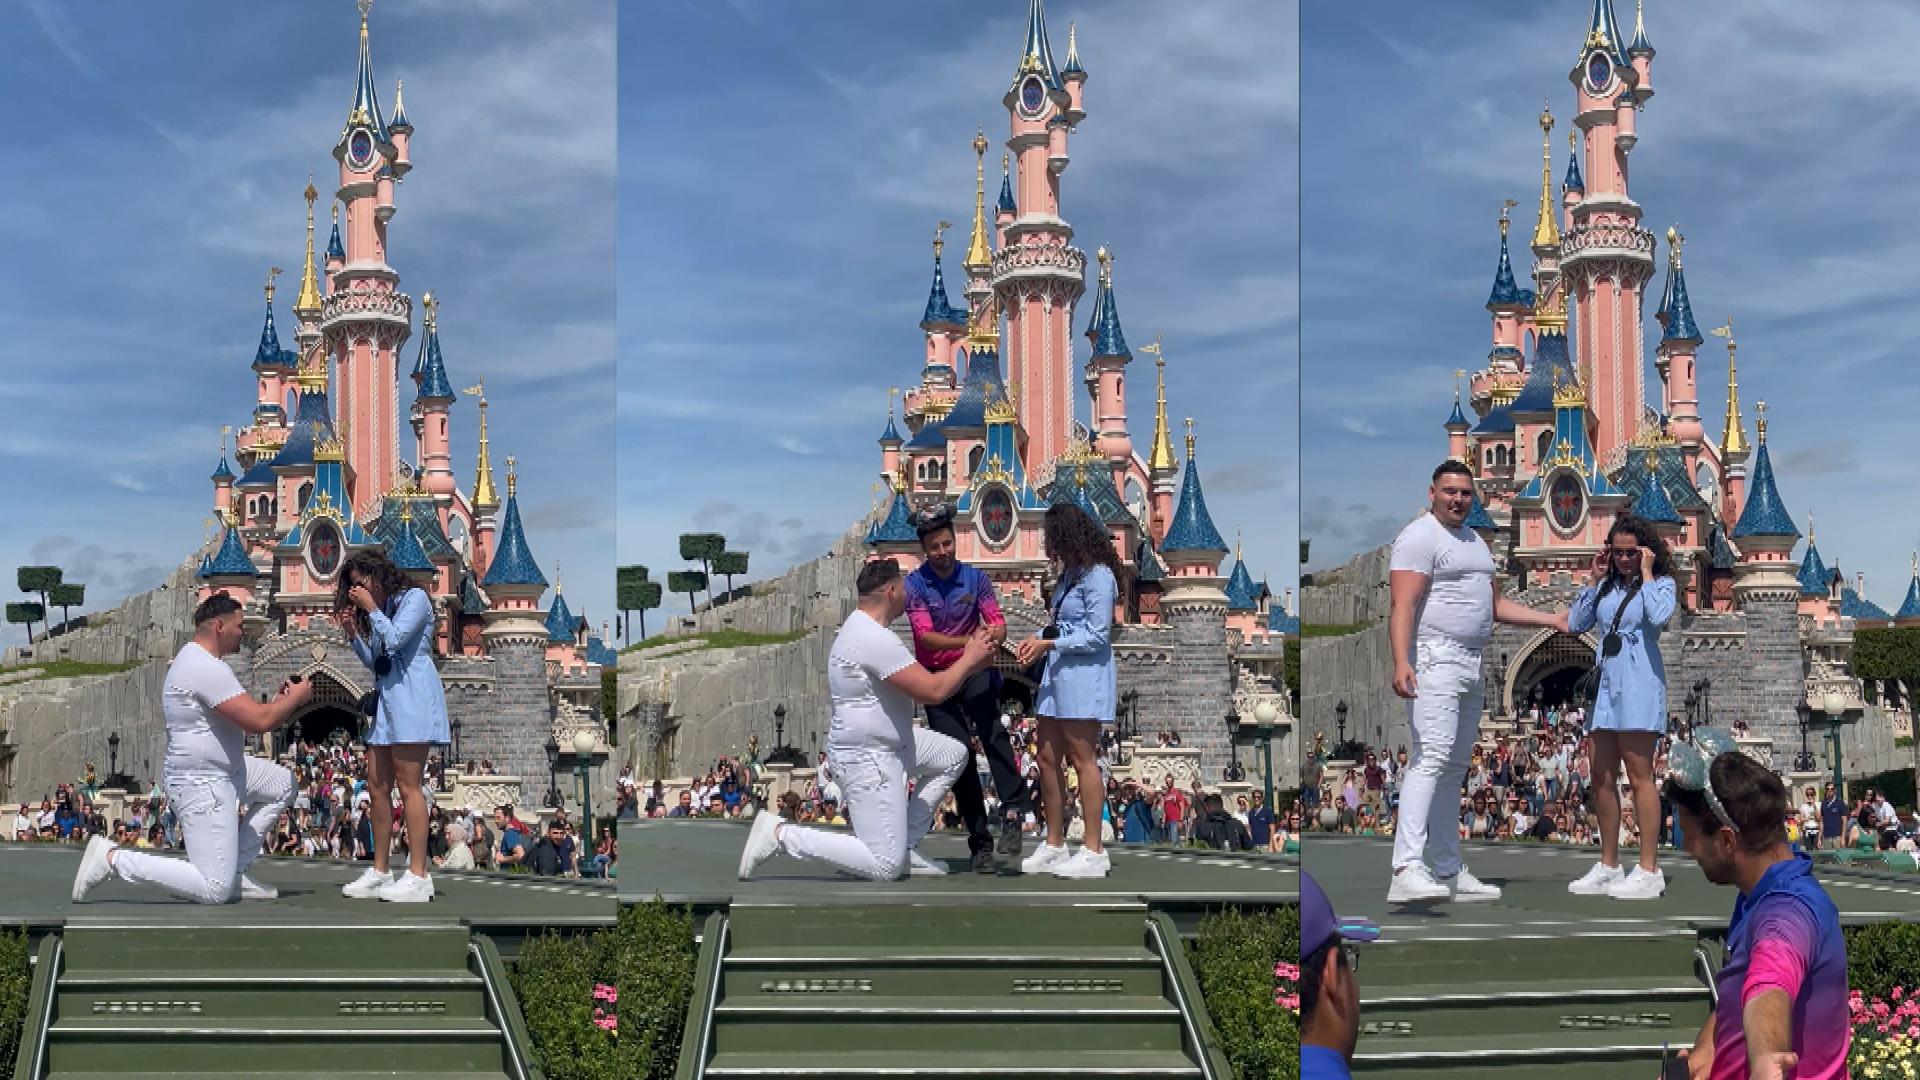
(322, 478)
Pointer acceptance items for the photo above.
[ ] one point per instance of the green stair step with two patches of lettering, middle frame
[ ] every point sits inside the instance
(1063, 979)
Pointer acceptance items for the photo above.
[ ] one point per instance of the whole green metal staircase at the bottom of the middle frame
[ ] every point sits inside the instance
(917, 991)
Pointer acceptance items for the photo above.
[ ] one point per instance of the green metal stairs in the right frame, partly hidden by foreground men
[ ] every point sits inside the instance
(1577, 1006)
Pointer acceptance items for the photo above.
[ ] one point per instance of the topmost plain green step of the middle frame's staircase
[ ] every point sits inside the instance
(1061, 927)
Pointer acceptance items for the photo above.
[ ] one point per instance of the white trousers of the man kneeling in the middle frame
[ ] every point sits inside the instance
(886, 822)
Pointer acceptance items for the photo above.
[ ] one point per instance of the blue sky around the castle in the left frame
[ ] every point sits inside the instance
(155, 174)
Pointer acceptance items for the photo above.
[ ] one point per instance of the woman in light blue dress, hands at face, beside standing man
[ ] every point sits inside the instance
(1631, 587)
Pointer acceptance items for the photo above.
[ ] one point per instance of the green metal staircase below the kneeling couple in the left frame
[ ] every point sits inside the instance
(272, 1002)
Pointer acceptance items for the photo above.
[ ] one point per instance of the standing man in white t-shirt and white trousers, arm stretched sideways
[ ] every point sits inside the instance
(1445, 606)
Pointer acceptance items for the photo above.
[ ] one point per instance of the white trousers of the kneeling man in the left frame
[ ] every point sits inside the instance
(220, 843)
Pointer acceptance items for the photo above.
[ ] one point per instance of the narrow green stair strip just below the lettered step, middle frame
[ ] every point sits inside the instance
(852, 1008)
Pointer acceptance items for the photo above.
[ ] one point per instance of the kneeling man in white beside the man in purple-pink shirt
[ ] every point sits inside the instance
(875, 747)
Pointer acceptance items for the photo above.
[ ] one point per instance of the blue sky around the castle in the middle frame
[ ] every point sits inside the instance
(782, 168)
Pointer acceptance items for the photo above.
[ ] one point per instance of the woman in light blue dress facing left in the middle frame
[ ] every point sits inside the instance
(1080, 687)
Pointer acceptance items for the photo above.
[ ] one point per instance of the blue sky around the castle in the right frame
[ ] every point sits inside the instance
(1779, 139)
